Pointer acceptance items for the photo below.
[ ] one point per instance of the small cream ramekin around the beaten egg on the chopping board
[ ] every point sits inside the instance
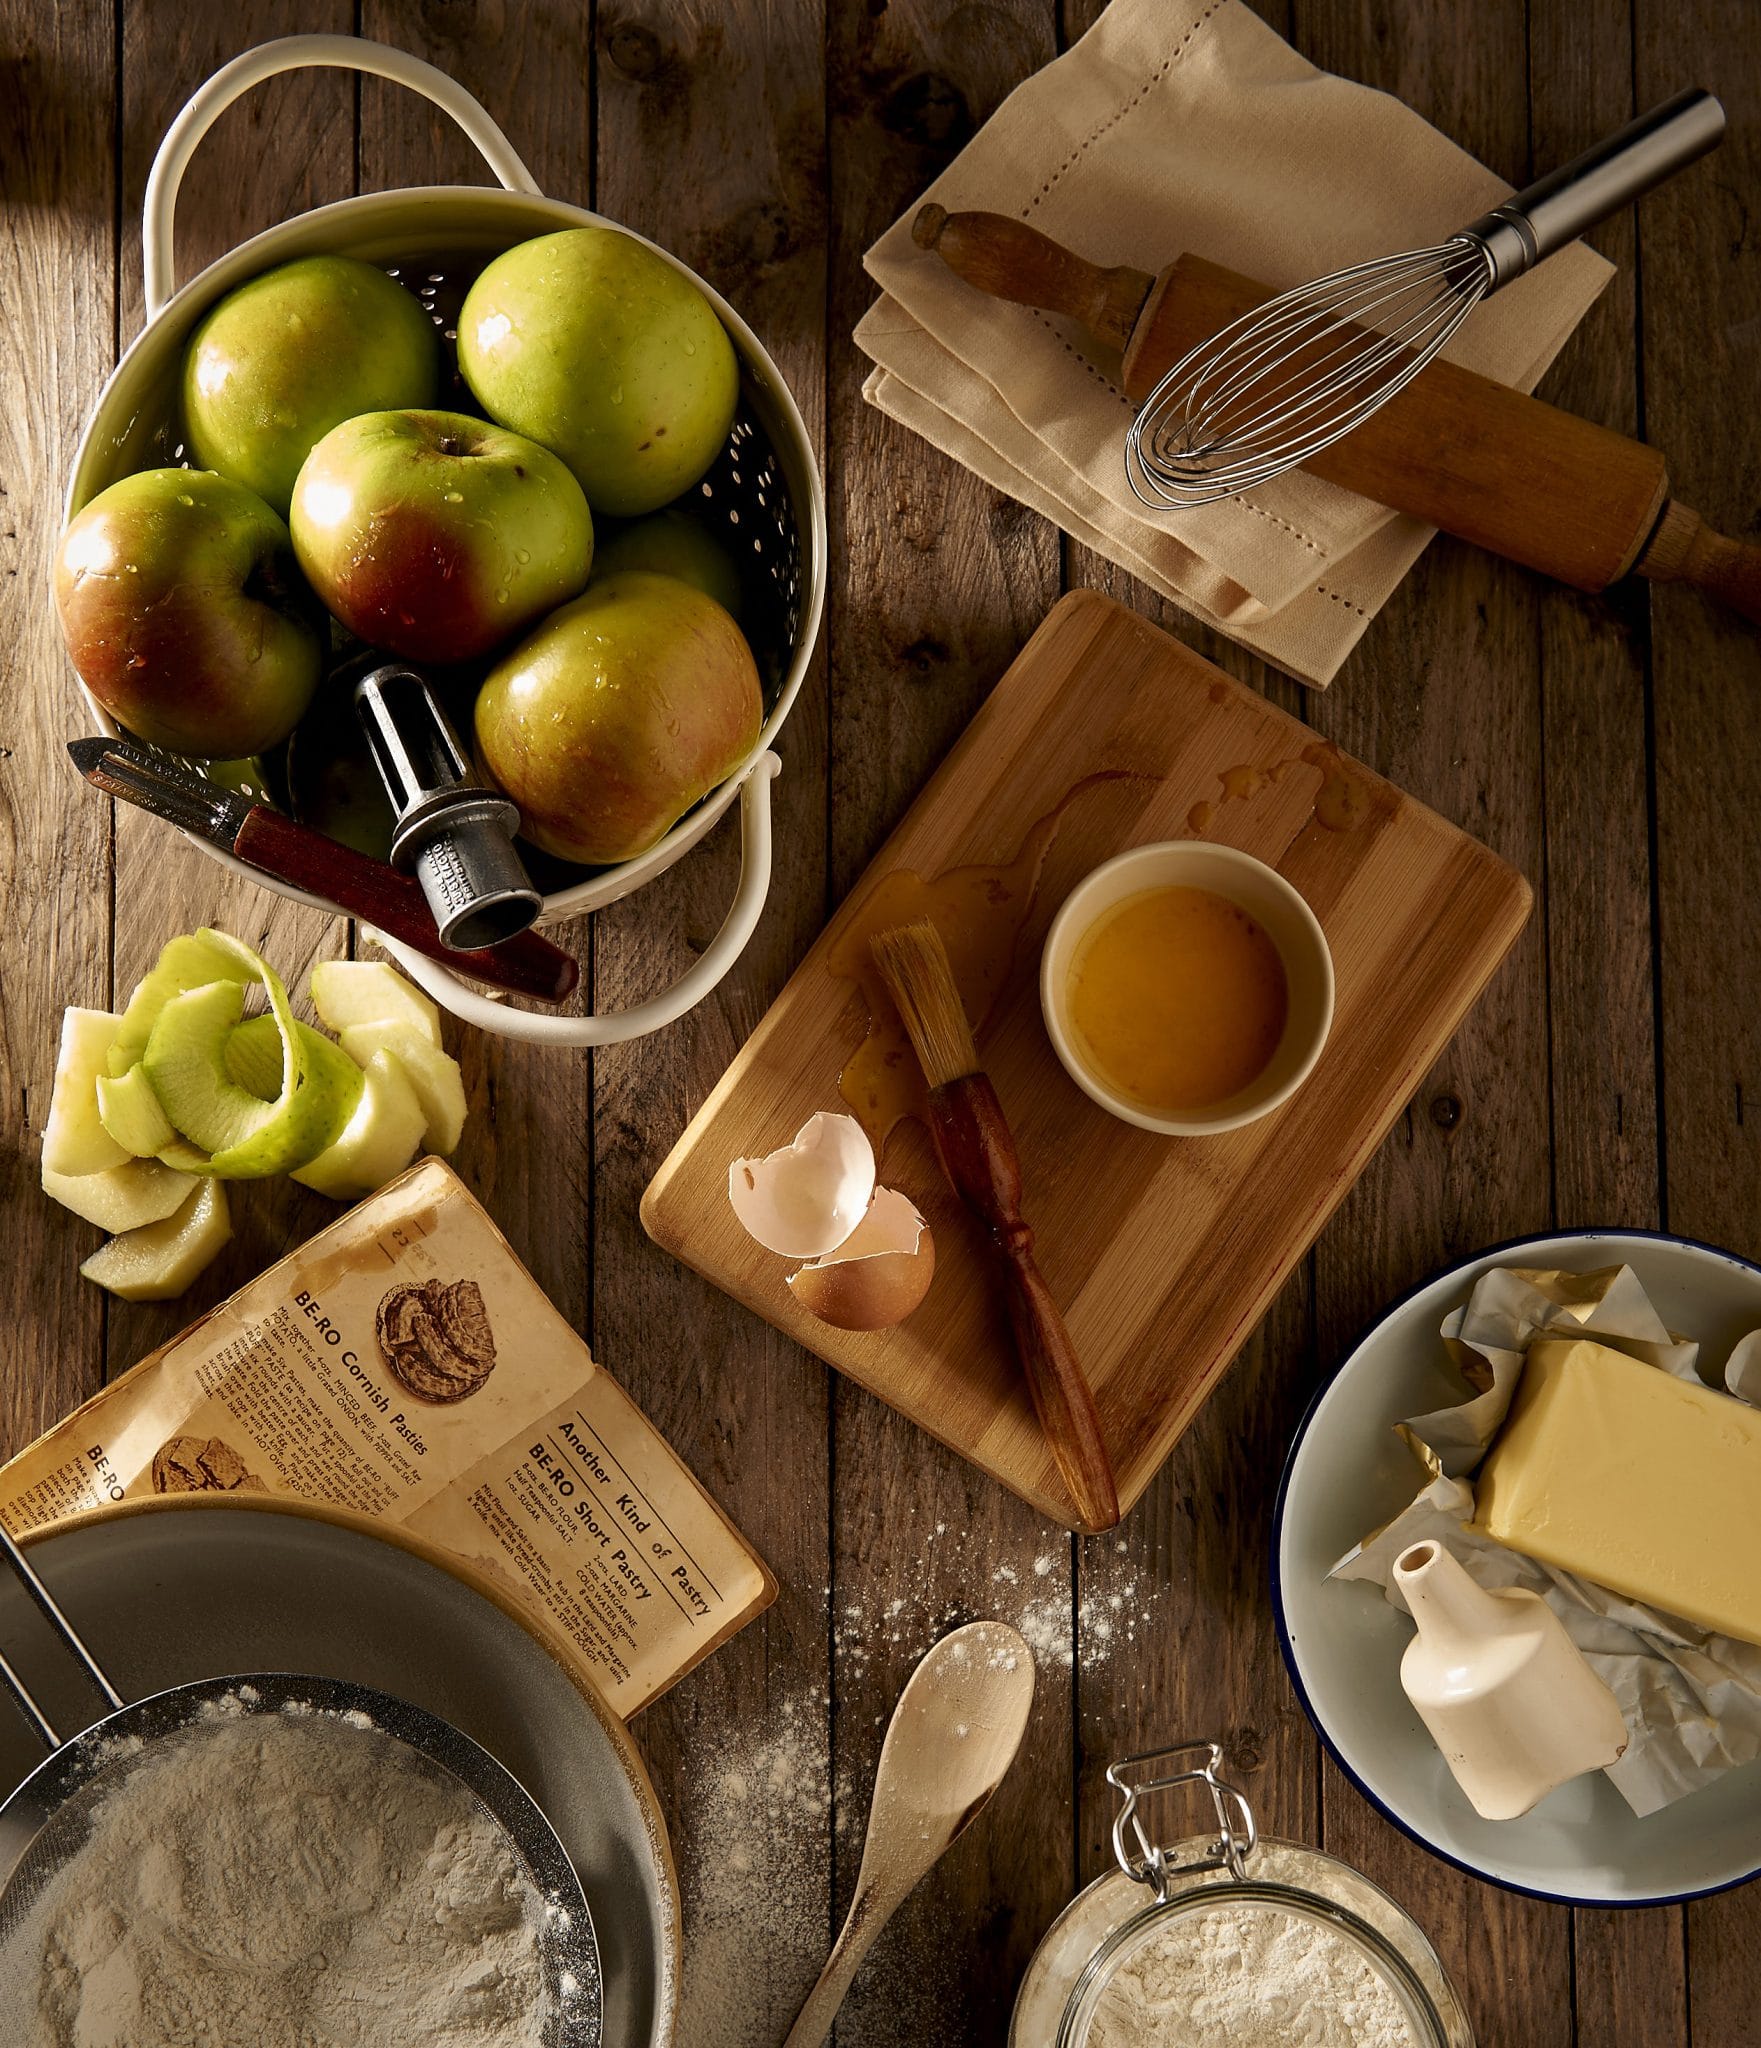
(1281, 914)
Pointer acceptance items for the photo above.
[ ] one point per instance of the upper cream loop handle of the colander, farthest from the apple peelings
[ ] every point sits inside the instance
(298, 54)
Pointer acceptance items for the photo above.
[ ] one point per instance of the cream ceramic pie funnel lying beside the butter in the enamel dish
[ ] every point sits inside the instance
(1502, 1687)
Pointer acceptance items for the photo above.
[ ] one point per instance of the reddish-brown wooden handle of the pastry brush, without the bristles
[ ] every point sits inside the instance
(980, 1160)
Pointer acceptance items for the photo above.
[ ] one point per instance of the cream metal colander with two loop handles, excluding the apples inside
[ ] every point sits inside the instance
(763, 493)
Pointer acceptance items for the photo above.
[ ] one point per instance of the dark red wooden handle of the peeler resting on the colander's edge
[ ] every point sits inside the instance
(374, 890)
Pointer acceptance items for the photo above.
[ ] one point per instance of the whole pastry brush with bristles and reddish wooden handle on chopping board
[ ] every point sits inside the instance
(980, 1158)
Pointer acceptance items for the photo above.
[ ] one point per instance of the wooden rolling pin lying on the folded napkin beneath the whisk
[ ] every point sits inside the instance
(1459, 452)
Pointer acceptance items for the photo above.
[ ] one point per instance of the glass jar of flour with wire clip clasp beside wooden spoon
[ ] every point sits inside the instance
(1162, 1904)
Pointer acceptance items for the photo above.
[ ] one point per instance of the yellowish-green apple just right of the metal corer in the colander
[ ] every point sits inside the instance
(617, 714)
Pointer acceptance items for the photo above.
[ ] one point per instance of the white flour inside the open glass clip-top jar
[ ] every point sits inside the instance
(1242, 1977)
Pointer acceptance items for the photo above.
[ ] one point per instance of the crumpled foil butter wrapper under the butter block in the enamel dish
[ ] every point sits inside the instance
(1692, 1701)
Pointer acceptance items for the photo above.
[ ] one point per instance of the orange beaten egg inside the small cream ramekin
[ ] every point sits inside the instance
(1178, 1000)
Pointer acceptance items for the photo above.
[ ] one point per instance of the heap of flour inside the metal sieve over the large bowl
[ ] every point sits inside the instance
(290, 1881)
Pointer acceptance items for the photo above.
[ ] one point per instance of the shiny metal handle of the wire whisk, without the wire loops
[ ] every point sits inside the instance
(1608, 177)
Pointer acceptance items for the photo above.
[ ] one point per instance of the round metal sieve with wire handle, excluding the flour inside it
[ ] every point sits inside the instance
(48, 1818)
